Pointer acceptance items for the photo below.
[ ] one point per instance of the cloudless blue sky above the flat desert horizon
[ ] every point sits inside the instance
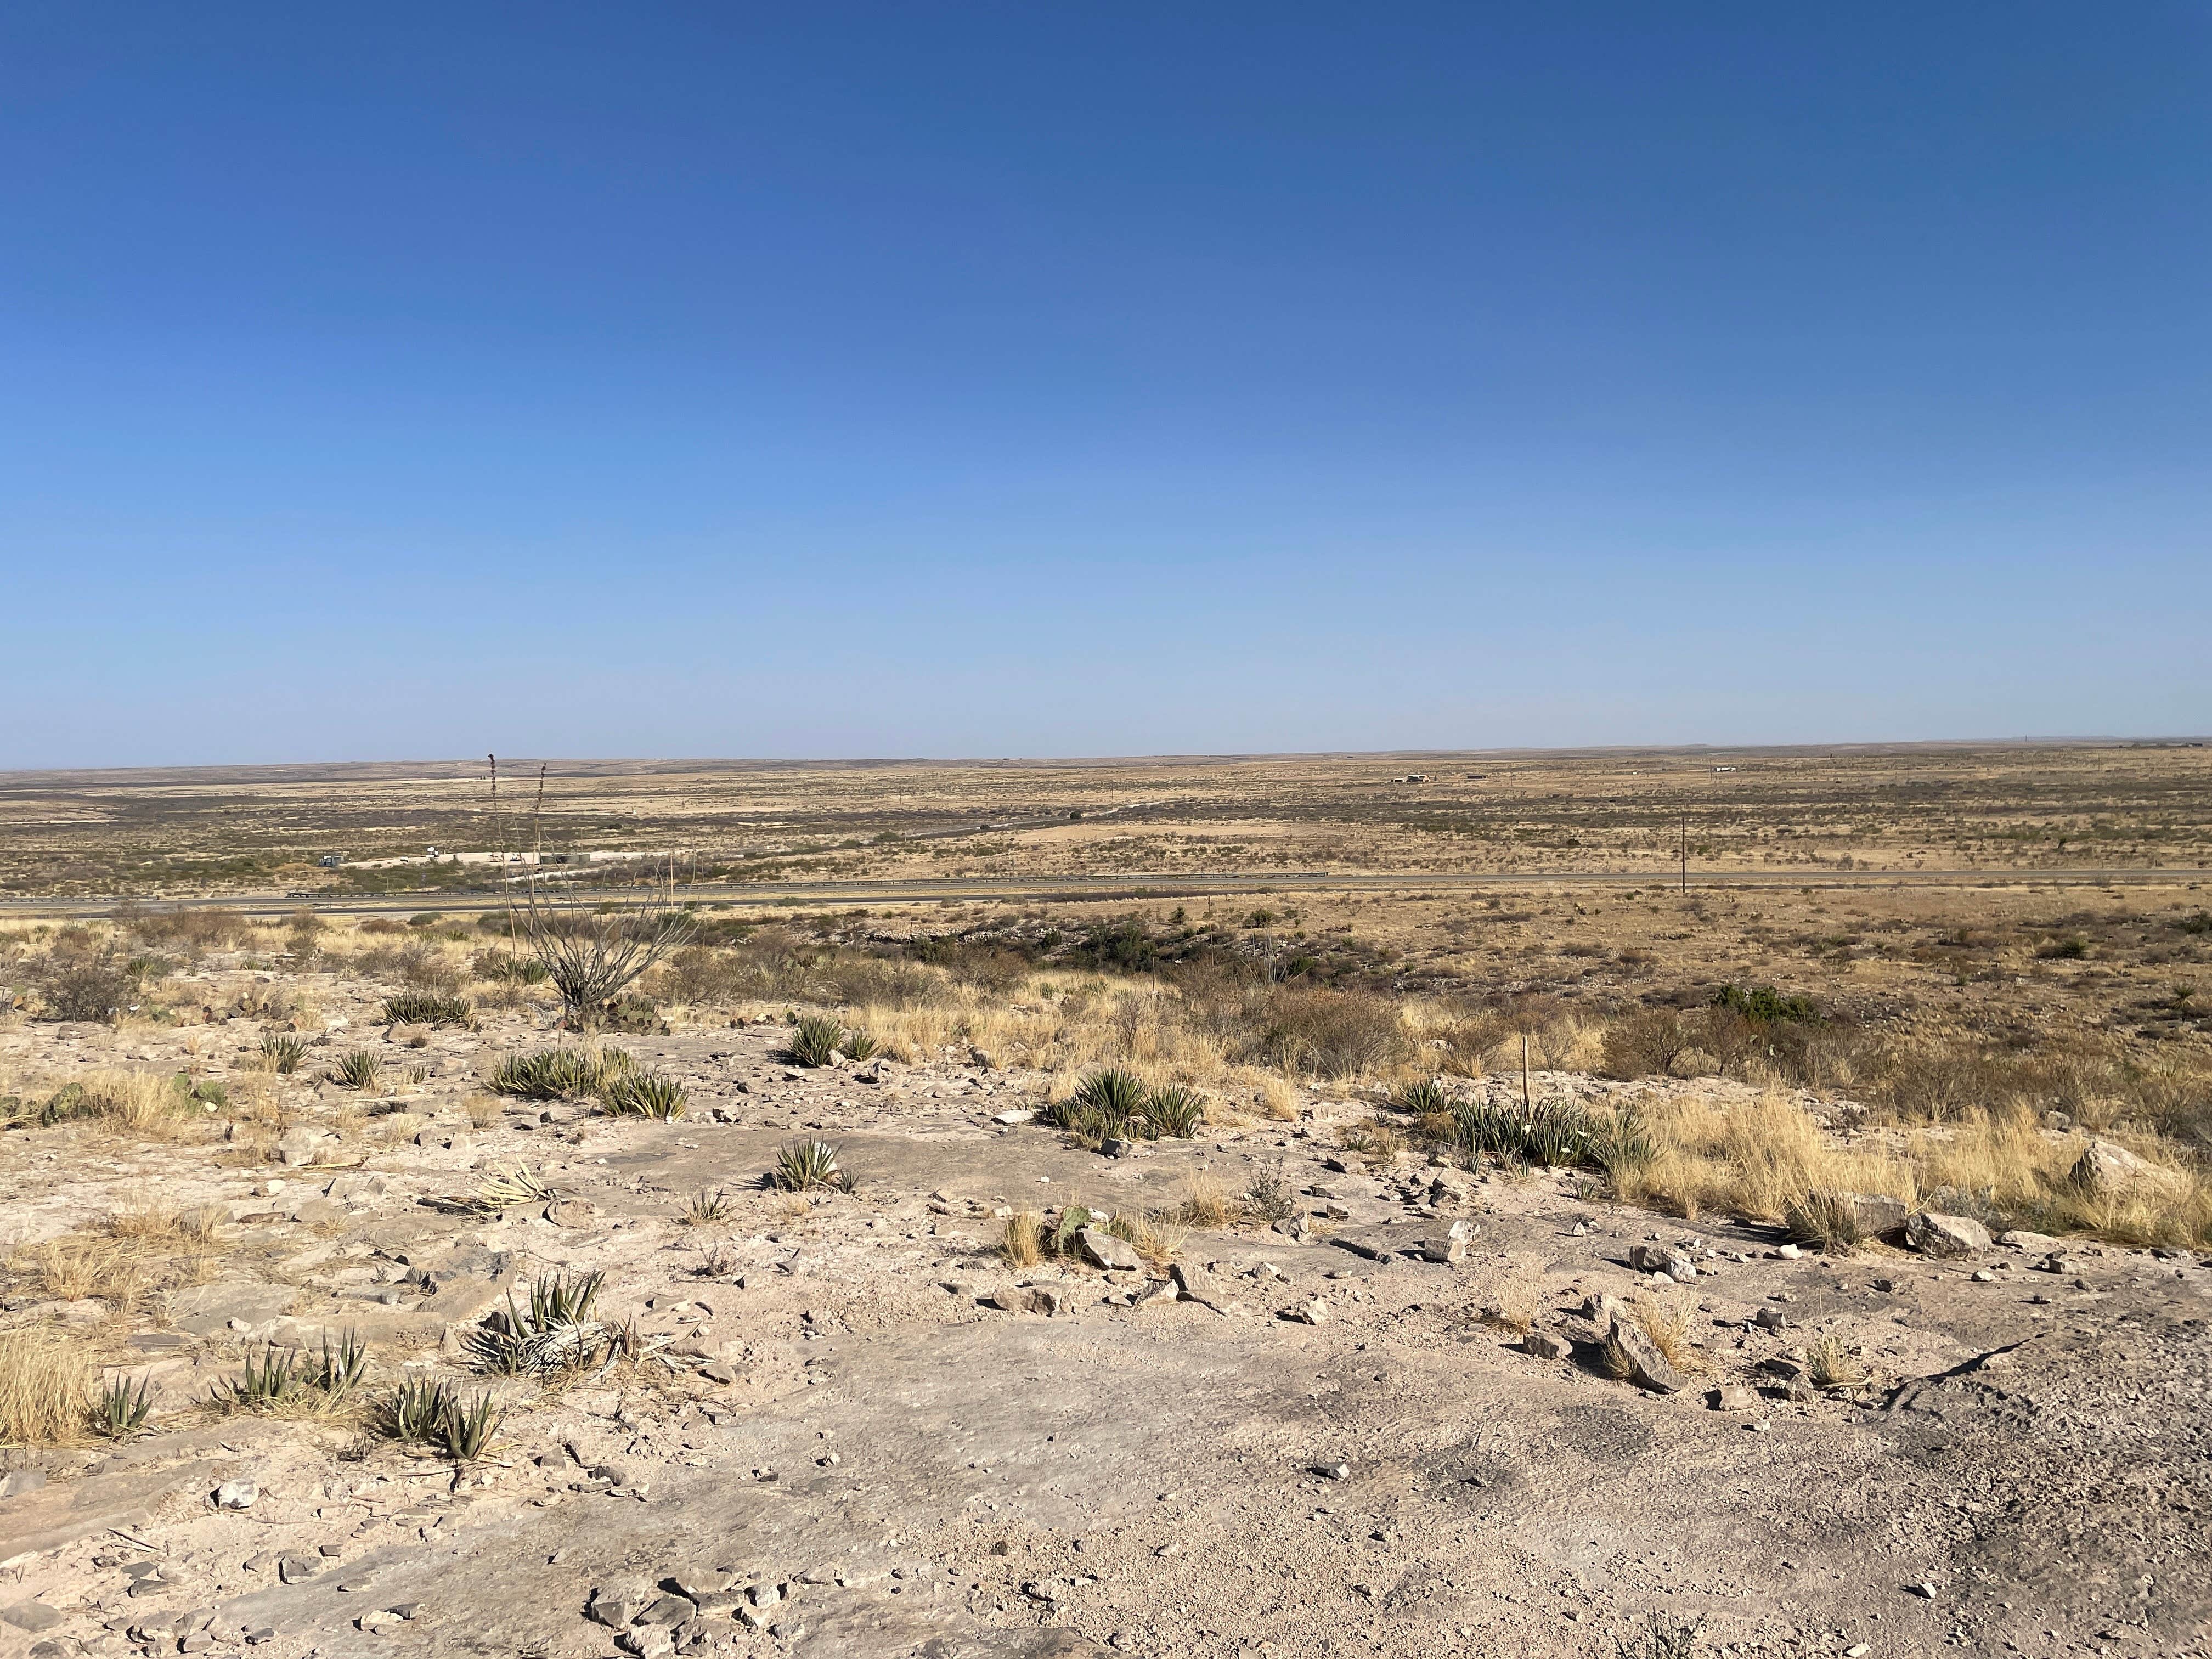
(1098, 379)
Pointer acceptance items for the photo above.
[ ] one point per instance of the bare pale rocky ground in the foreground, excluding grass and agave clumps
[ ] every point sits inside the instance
(848, 1428)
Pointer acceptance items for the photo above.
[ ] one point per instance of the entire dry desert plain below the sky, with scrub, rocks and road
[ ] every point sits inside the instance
(1180, 1209)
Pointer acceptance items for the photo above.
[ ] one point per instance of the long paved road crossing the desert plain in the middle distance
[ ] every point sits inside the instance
(1176, 886)
